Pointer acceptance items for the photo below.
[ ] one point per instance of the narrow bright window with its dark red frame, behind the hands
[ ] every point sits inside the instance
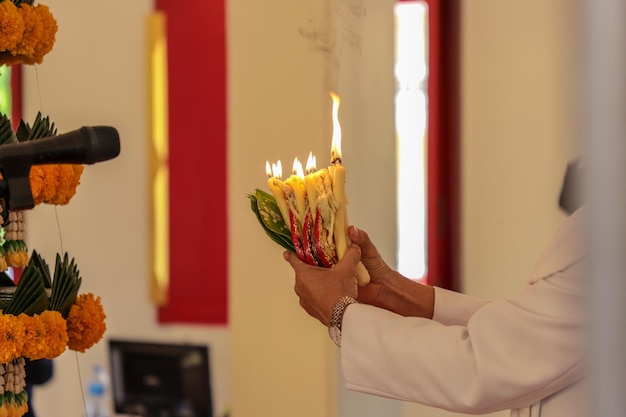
(427, 125)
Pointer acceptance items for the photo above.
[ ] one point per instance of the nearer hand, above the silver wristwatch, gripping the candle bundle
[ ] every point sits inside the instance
(319, 289)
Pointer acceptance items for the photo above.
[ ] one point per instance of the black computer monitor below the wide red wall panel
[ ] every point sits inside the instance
(151, 379)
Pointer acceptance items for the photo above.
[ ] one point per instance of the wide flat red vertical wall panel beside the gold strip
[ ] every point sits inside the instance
(196, 38)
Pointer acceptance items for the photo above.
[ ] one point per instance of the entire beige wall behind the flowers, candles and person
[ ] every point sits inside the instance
(274, 360)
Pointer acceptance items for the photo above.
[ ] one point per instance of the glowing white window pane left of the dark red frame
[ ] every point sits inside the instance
(411, 71)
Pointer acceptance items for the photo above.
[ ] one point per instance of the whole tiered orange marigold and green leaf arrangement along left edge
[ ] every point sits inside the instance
(45, 316)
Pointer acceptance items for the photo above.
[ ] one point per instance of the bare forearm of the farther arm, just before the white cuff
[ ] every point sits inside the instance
(407, 297)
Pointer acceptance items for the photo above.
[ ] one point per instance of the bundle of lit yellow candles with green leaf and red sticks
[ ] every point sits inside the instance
(306, 214)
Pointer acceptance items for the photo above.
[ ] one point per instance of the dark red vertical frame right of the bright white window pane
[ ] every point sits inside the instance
(443, 193)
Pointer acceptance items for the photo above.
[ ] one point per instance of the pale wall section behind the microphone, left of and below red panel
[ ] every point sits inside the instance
(96, 76)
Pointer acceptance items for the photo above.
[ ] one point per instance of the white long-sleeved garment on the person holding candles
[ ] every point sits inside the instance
(525, 353)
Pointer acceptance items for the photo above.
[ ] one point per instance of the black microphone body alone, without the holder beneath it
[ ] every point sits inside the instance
(86, 145)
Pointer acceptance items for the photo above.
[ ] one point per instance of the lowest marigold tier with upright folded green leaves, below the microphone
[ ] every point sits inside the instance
(38, 325)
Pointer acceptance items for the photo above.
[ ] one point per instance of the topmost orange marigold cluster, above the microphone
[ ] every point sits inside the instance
(27, 32)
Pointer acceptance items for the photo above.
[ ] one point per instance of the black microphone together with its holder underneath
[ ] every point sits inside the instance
(86, 145)
